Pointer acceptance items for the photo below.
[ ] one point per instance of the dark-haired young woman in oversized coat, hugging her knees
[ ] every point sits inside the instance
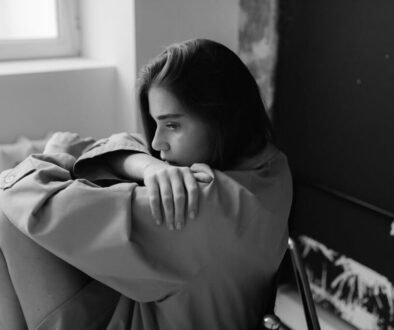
(81, 235)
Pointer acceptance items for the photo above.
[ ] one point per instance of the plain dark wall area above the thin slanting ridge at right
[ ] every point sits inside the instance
(334, 100)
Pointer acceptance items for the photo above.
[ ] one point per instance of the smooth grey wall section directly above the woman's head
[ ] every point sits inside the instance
(163, 22)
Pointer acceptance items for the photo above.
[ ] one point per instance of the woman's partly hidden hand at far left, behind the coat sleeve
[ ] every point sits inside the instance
(66, 142)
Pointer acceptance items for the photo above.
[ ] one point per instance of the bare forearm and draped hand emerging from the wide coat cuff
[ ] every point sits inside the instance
(173, 191)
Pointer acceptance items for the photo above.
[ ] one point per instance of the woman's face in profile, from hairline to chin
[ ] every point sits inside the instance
(181, 138)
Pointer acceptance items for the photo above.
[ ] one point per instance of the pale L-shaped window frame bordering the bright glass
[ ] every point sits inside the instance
(67, 43)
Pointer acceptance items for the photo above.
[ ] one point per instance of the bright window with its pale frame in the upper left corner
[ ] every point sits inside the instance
(38, 29)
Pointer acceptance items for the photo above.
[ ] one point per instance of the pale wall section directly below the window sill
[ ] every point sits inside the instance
(33, 104)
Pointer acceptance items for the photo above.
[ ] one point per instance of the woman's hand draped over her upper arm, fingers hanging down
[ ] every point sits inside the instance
(173, 192)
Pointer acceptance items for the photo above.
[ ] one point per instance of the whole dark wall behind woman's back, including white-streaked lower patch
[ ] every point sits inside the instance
(334, 118)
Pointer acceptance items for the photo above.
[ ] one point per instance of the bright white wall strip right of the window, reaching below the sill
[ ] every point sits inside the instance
(108, 35)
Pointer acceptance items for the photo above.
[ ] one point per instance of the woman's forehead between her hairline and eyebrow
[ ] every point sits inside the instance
(162, 102)
